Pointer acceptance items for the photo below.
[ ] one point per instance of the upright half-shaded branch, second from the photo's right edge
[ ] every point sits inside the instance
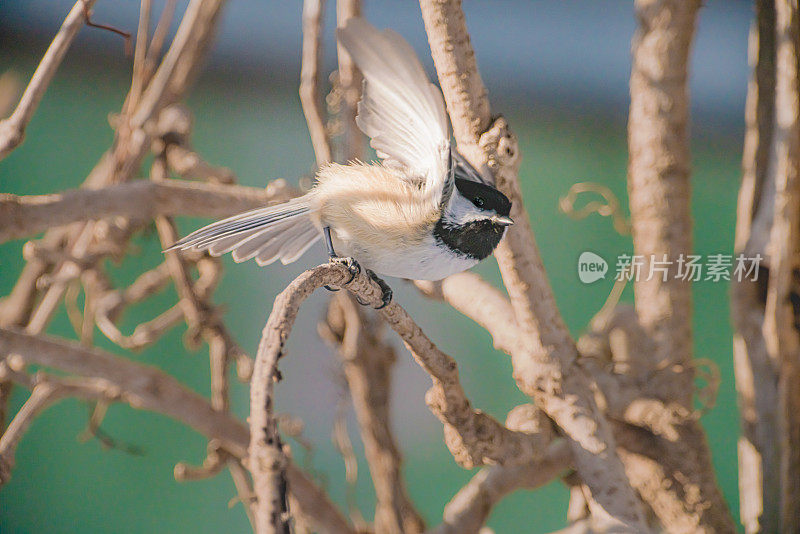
(756, 377)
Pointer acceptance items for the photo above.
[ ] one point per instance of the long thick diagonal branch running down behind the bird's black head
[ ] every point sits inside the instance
(547, 370)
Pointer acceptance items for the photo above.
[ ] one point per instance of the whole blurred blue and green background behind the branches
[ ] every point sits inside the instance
(559, 72)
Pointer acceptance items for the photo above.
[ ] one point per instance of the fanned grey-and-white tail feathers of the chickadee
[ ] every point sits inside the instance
(282, 232)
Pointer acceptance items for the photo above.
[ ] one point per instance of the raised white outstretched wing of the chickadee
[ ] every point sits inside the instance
(401, 111)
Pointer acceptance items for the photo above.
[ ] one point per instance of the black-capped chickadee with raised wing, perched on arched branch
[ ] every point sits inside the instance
(422, 212)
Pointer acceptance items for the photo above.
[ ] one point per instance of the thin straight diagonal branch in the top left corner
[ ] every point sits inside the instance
(12, 129)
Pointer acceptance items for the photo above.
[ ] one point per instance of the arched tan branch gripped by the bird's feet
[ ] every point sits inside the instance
(473, 437)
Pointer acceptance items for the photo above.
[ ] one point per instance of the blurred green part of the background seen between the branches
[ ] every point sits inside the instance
(254, 126)
